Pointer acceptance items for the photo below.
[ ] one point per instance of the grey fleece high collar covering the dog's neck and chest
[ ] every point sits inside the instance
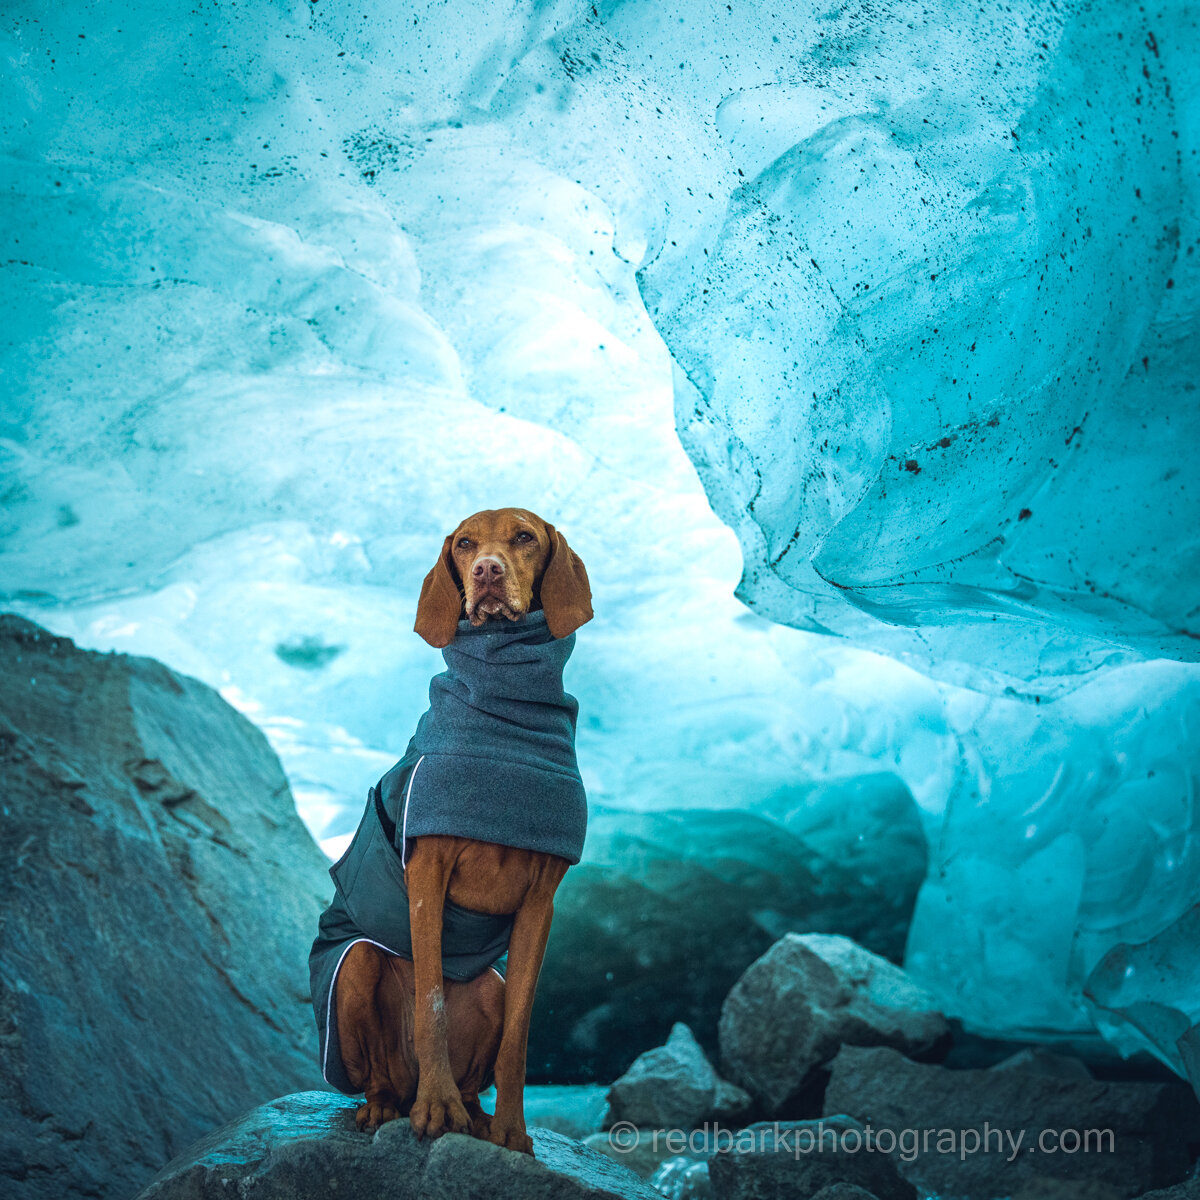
(497, 745)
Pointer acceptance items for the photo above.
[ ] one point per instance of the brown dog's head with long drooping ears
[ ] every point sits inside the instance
(503, 563)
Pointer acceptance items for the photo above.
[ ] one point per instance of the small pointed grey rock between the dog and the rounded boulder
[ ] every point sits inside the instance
(675, 1088)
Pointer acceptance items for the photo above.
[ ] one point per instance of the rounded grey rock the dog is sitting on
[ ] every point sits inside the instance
(307, 1148)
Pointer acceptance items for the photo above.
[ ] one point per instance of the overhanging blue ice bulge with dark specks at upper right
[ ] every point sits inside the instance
(938, 364)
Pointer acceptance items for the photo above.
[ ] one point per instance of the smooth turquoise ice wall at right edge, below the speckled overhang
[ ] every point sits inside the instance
(1071, 830)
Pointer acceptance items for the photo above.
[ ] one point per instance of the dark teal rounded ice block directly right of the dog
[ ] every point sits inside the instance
(669, 909)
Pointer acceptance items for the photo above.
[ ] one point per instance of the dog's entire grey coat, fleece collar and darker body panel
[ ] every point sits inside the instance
(494, 760)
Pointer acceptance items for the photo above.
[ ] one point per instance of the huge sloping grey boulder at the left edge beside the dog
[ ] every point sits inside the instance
(161, 896)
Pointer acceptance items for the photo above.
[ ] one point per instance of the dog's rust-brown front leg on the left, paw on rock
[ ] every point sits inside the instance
(439, 1107)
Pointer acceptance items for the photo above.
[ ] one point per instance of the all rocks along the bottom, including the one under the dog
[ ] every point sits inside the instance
(829, 1088)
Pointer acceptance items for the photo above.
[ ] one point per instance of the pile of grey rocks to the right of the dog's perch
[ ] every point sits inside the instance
(821, 1029)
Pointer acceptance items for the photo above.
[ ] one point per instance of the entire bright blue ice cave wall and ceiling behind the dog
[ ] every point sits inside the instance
(291, 287)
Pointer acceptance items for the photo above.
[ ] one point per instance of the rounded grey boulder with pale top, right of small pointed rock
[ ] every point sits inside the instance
(809, 995)
